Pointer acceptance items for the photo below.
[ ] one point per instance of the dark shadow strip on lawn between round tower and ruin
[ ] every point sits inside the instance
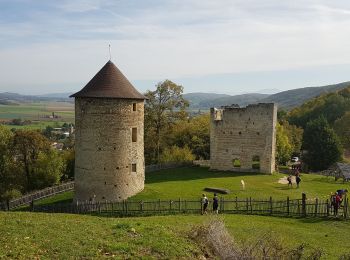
(191, 173)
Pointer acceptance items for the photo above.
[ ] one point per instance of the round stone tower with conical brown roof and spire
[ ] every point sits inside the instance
(109, 146)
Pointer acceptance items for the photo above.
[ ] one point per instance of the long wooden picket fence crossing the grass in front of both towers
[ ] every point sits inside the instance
(293, 208)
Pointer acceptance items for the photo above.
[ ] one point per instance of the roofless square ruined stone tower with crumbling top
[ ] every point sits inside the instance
(243, 139)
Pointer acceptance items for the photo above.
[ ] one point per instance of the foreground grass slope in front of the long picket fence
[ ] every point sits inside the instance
(64, 236)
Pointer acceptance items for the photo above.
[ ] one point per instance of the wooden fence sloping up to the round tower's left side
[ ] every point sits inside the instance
(41, 194)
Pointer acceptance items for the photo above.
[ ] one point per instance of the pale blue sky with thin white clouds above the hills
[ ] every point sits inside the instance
(221, 46)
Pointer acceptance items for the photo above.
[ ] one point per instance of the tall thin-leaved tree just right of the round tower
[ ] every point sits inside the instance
(163, 107)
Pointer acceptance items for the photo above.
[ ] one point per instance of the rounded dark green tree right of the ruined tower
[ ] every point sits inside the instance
(321, 144)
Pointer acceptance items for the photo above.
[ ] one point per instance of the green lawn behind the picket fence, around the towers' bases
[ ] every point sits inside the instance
(188, 183)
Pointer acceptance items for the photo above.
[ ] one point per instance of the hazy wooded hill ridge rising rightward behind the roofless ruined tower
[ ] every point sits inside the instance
(292, 98)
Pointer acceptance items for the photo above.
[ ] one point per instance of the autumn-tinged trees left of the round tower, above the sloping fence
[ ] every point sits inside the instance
(28, 162)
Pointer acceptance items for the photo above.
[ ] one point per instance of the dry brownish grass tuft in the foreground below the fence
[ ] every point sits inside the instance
(216, 241)
